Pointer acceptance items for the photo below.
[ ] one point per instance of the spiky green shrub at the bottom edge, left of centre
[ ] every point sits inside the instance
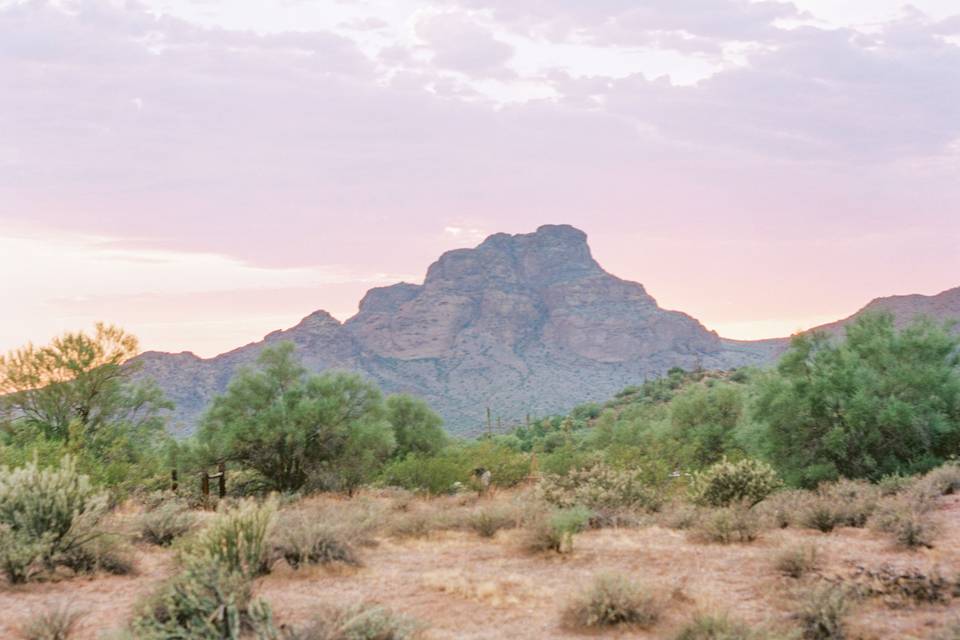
(206, 601)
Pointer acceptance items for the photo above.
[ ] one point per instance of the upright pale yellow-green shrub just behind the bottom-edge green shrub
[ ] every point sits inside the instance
(238, 538)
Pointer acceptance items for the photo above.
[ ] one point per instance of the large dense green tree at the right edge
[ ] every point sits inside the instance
(881, 401)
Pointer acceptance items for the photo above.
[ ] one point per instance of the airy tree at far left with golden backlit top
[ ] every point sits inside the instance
(80, 396)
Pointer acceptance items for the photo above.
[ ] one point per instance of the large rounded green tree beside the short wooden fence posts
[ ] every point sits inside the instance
(292, 427)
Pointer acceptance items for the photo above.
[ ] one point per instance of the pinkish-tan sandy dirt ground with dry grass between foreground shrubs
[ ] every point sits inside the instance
(466, 587)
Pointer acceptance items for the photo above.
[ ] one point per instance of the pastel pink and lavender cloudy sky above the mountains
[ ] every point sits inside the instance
(205, 172)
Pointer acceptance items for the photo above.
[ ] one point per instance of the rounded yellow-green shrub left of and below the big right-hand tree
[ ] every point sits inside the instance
(726, 483)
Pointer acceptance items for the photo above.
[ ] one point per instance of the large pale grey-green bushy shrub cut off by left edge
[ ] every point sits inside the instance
(45, 514)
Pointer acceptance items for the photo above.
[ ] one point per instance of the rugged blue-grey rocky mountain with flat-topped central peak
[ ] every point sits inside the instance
(523, 324)
